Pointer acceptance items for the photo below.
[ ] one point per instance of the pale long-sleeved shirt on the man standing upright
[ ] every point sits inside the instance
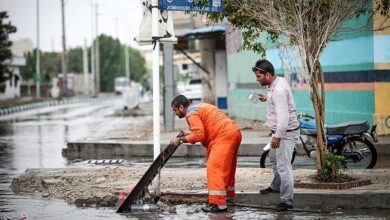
(281, 108)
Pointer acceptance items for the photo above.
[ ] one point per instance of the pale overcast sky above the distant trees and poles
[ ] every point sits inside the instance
(117, 18)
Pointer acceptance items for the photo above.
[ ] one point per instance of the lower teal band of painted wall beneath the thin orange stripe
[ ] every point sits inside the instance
(341, 106)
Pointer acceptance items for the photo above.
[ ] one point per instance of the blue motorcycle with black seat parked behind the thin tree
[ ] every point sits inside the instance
(350, 140)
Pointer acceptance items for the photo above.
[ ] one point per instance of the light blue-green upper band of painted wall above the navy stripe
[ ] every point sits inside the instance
(339, 56)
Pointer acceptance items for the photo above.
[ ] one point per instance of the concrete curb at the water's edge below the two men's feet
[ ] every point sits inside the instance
(303, 198)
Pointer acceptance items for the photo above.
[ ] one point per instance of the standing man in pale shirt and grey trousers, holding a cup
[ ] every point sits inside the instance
(282, 121)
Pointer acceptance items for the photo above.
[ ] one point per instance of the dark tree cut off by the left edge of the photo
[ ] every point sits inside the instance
(5, 44)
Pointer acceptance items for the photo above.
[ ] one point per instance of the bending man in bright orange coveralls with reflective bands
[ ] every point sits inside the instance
(221, 136)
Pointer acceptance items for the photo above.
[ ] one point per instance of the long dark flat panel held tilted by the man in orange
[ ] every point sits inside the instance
(147, 178)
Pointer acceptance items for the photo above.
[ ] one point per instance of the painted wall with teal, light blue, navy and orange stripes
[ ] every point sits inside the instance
(357, 75)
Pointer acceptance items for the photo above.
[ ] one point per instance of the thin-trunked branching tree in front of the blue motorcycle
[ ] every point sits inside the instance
(308, 25)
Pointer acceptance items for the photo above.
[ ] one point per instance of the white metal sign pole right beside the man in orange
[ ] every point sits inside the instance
(156, 91)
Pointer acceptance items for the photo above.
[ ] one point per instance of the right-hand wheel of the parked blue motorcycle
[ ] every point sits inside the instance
(359, 153)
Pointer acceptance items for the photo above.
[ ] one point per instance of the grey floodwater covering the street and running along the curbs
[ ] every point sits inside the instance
(34, 139)
